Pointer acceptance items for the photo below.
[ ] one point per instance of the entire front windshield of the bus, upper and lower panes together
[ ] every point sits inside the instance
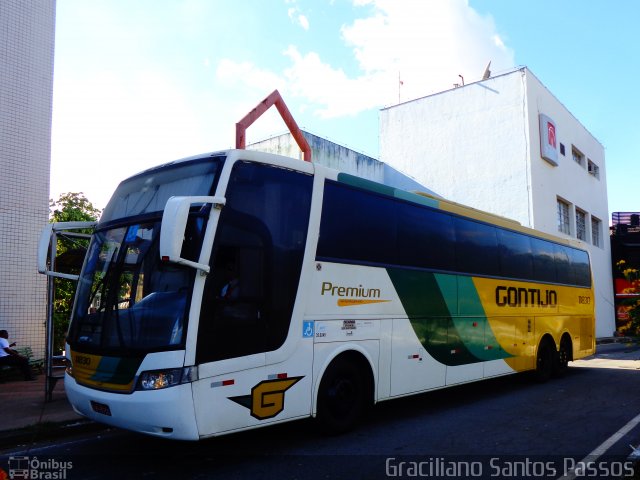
(127, 300)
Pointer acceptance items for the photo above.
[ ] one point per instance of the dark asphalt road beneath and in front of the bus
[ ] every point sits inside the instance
(509, 419)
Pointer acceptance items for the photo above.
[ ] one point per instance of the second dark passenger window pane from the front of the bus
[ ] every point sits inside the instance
(425, 238)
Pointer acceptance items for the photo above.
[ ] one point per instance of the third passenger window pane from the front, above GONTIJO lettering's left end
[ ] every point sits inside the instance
(477, 248)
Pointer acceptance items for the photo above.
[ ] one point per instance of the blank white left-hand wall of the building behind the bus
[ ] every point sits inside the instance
(468, 144)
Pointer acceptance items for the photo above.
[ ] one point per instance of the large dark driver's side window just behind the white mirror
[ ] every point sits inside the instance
(255, 263)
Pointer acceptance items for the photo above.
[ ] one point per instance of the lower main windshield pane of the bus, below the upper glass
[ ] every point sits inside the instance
(127, 299)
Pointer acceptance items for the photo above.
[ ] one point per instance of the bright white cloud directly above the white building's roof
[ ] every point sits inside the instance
(429, 43)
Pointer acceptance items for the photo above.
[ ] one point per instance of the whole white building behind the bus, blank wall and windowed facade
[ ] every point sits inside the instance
(506, 145)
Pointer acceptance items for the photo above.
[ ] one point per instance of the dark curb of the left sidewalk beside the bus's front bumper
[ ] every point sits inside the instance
(47, 431)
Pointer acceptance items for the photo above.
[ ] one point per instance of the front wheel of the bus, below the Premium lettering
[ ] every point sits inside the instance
(341, 401)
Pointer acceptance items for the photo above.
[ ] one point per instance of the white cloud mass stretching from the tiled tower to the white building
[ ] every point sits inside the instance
(123, 102)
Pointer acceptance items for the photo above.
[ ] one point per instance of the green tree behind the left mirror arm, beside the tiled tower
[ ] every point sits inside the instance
(70, 207)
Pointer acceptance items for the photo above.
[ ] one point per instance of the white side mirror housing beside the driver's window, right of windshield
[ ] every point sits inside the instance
(174, 224)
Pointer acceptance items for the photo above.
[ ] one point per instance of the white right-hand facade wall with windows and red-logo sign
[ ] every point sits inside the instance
(574, 185)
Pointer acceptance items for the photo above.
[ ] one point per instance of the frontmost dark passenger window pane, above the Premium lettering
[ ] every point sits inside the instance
(357, 226)
